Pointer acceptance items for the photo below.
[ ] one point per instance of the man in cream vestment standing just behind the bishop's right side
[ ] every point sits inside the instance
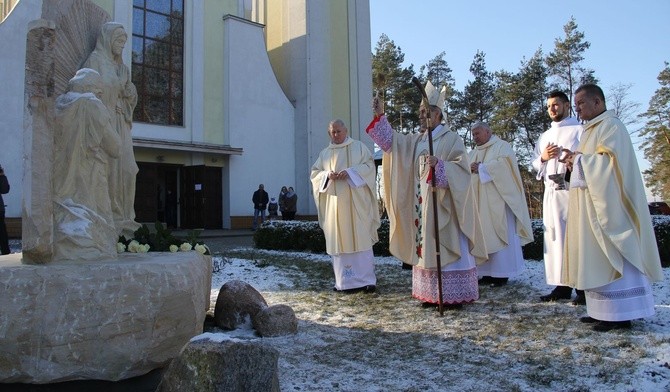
(503, 210)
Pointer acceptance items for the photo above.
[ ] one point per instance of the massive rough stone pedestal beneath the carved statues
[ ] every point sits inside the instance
(102, 320)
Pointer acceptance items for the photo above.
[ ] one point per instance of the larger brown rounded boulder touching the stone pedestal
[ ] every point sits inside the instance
(237, 304)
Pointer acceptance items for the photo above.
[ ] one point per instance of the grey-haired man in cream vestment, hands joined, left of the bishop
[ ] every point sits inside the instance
(343, 186)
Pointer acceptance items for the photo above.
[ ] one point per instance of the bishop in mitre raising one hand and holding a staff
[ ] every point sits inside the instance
(409, 200)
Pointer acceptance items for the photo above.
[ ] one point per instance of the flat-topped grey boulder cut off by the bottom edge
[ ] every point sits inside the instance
(228, 366)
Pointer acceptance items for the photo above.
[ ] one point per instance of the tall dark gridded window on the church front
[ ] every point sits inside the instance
(158, 59)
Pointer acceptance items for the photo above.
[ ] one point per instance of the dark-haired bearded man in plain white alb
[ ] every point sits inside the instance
(564, 132)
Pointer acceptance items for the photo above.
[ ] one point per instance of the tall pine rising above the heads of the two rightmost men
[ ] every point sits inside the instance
(564, 62)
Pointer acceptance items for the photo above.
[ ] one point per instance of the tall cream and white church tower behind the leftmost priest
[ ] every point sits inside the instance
(324, 71)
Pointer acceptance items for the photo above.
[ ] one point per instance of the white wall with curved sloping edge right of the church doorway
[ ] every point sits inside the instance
(259, 117)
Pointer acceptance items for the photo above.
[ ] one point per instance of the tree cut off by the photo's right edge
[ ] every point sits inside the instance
(656, 134)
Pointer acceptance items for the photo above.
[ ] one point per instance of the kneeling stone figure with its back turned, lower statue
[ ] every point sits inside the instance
(85, 143)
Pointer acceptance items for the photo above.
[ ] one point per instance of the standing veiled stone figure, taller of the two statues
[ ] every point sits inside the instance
(120, 97)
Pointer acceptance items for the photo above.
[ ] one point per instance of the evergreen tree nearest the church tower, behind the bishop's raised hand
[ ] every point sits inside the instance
(394, 85)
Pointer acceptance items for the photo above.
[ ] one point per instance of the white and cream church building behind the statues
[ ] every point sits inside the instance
(231, 94)
